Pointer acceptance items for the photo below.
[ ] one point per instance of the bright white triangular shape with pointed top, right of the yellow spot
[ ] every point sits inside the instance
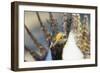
(70, 50)
